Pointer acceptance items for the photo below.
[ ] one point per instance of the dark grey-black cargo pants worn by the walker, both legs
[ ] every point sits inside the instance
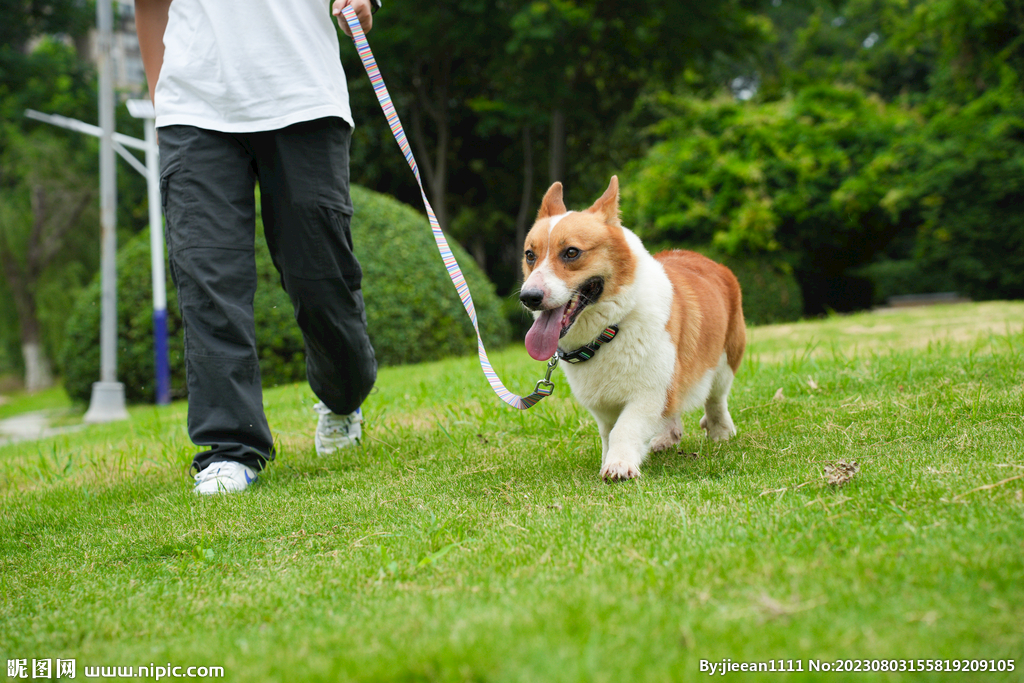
(207, 182)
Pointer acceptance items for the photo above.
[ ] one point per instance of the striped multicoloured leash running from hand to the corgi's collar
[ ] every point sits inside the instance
(545, 388)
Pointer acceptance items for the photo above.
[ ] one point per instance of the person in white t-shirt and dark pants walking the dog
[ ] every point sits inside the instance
(245, 94)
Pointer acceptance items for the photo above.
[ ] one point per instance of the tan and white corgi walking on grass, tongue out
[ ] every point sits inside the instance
(642, 339)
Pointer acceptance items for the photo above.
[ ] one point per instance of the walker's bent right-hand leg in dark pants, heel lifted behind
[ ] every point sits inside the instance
(304, 177)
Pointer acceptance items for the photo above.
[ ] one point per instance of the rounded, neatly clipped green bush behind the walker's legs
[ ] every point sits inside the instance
(413, 311)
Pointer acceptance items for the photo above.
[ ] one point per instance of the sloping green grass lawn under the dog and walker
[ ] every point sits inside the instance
(471, 542)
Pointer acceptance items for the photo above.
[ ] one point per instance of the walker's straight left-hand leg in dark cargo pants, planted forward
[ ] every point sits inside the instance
(207, 182)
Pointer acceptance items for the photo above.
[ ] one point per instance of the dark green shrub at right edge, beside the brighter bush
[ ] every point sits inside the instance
(959, 188)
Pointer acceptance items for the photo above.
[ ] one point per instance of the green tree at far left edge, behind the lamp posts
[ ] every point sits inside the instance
(42, 68)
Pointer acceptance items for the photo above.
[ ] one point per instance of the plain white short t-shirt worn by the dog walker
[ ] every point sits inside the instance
(244, 67)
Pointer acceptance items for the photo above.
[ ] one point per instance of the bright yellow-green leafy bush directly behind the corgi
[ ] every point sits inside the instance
(801, 178)
